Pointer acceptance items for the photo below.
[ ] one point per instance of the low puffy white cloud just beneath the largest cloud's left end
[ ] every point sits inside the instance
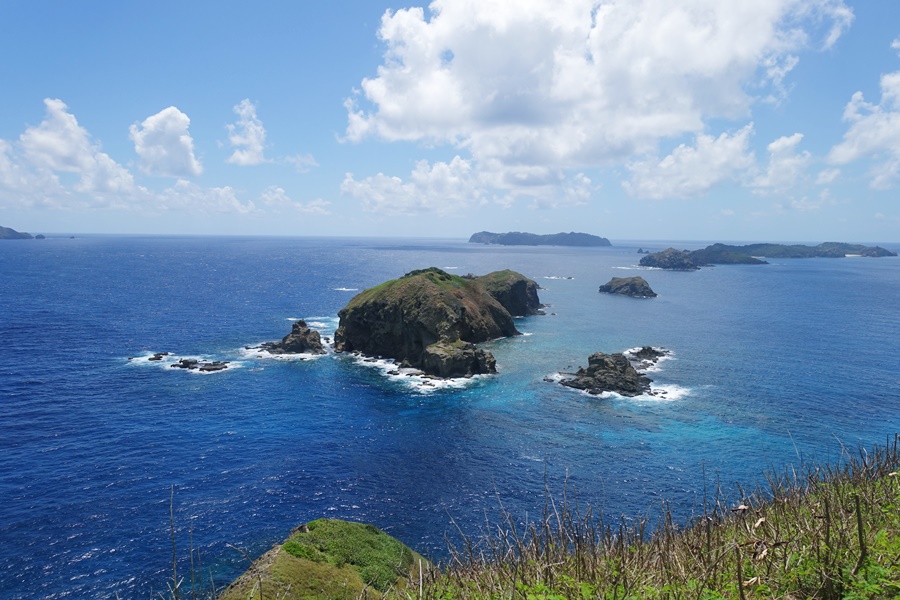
(442, 188)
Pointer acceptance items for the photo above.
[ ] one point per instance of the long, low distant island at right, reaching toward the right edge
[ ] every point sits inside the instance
(752, 254)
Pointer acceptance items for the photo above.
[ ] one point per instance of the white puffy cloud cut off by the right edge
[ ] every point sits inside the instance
(874, 132)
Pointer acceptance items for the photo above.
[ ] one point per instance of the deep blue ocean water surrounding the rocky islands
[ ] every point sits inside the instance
(773, 366)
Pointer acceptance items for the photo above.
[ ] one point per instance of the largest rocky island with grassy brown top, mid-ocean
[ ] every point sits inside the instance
(431, 320)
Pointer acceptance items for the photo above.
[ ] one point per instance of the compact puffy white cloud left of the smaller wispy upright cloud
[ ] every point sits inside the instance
(165, 145)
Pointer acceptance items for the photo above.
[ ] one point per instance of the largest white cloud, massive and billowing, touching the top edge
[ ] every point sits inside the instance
(574, 83)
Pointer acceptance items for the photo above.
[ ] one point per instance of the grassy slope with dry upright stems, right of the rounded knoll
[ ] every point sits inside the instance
(830, 533)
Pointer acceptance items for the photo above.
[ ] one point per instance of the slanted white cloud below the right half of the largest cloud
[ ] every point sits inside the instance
(691, 170)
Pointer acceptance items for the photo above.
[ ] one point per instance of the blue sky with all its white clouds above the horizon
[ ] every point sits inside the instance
(746, 120)
